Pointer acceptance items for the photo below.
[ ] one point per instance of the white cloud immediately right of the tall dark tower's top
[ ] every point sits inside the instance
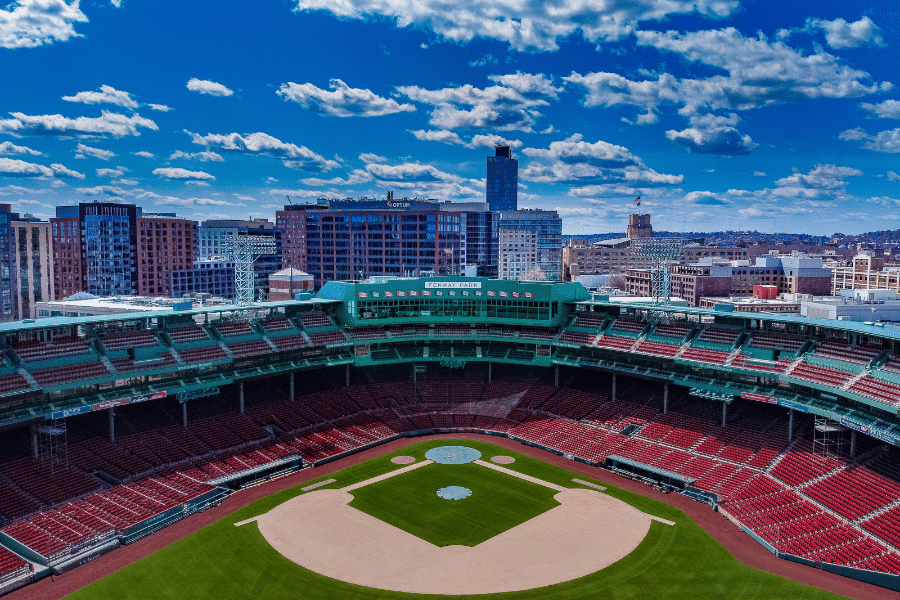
(574, 161)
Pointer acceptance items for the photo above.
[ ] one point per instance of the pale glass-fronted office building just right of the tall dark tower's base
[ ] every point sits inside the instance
(546, 227)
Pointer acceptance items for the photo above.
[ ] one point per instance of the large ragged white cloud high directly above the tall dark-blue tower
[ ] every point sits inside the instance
(512, 105)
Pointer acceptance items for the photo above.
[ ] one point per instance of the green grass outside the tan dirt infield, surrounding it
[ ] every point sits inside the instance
(222, 561)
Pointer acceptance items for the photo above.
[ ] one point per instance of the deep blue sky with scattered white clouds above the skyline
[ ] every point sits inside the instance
(720, 114)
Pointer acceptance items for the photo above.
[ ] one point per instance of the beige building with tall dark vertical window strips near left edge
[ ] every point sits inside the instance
(33, 267)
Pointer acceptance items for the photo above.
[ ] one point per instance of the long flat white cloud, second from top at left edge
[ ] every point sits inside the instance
(108, 123)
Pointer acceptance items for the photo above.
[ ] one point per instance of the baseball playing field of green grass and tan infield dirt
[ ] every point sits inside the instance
(518, 522)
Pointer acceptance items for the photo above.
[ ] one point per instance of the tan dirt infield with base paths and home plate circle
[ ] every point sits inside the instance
(585, 532)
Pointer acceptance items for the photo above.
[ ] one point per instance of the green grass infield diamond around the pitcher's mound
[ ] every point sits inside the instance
(410, 502)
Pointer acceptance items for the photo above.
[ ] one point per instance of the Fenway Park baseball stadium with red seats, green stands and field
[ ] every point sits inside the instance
(449, 436)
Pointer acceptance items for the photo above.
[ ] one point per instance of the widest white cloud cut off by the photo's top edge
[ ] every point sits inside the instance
(526, 26)
